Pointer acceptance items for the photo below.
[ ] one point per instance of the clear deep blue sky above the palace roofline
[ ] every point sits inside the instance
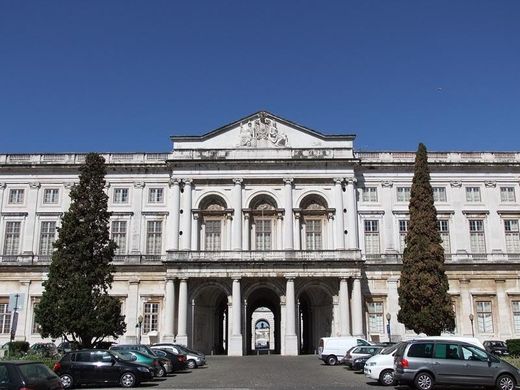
(107, 75)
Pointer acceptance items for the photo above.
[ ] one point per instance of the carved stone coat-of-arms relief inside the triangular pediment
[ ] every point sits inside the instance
(261, 132)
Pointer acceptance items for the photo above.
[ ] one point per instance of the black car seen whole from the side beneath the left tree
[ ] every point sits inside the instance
(97, 366)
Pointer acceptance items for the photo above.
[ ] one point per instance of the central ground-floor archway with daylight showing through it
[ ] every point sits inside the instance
(263, 302)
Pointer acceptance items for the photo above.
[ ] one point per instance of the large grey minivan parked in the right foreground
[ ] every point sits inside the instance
(426, 363)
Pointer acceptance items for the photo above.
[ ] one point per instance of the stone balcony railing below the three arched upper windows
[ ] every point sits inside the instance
(264, 256)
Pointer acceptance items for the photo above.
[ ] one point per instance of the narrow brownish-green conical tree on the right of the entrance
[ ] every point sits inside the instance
(426, 306)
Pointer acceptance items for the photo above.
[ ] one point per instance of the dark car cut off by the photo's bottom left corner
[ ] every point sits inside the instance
(15, 375)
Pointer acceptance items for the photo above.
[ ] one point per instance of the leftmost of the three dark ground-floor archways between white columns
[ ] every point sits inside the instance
(210, 314)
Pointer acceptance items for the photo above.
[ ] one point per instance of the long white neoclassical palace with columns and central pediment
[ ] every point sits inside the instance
(266, 234)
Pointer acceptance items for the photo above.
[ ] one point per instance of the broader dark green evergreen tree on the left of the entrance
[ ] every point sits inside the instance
(75, 304)
